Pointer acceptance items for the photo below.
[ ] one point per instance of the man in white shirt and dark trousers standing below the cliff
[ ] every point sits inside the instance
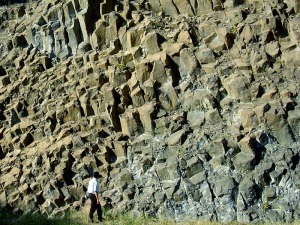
(93, 190)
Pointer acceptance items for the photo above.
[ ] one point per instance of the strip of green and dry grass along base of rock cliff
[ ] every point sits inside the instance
(79, 218)
